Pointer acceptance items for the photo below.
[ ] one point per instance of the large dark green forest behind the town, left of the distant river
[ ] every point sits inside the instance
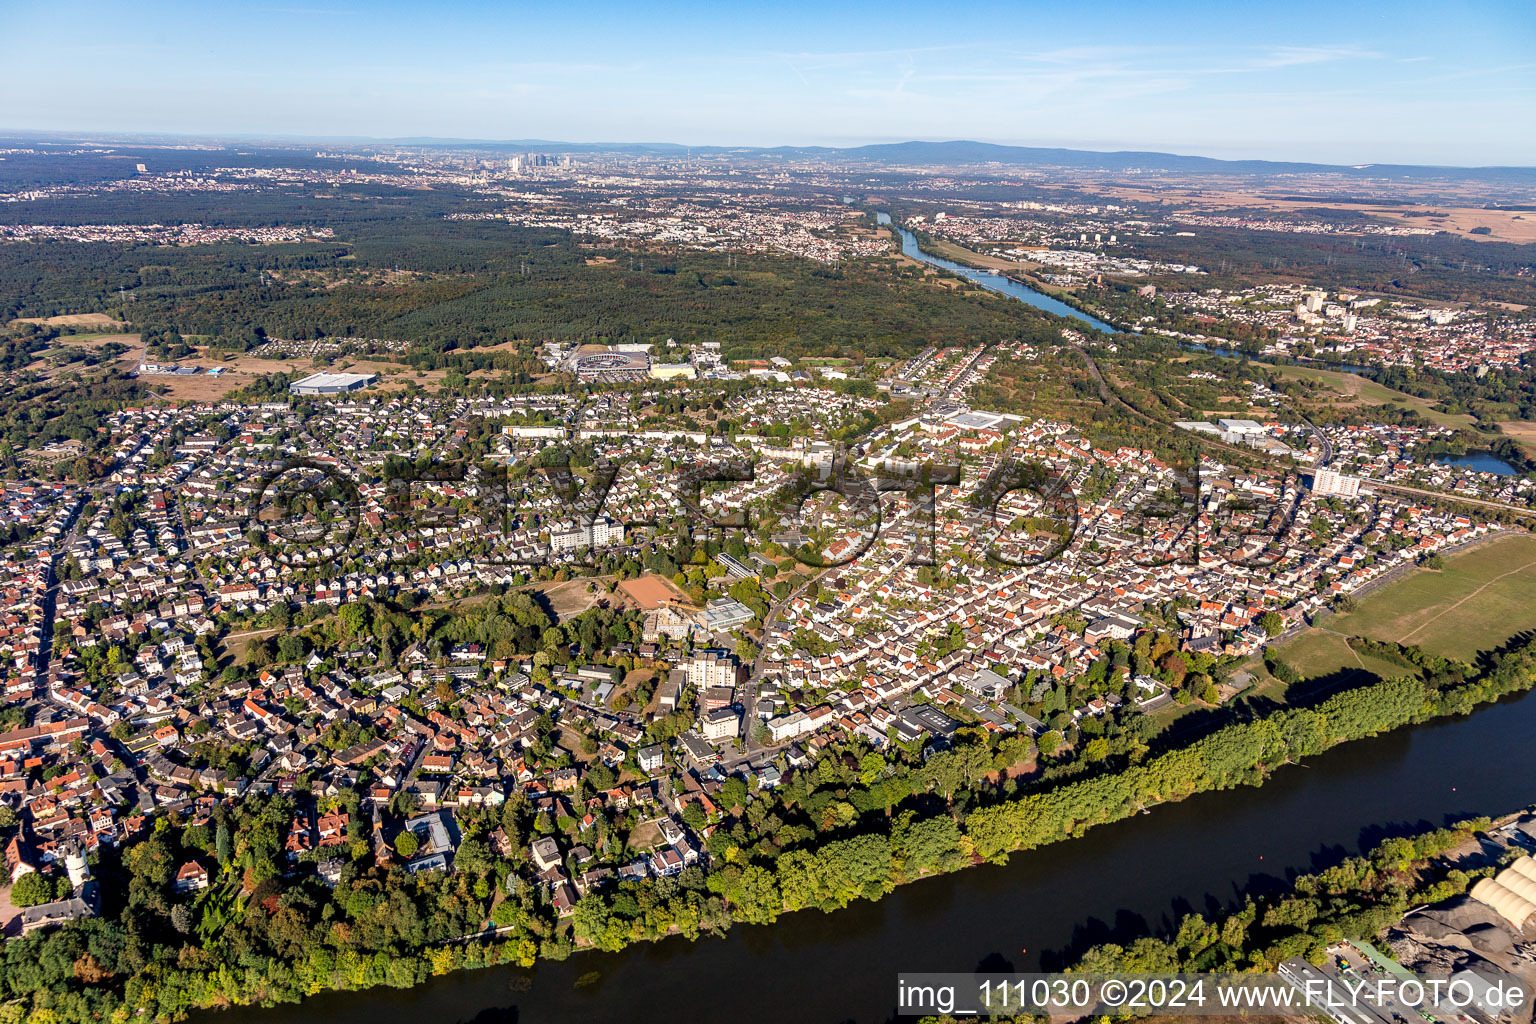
(399, 271)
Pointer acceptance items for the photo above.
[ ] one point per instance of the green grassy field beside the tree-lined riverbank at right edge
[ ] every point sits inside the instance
(1480, 600)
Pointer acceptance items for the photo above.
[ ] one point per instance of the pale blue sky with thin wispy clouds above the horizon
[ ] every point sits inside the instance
(1371, 82)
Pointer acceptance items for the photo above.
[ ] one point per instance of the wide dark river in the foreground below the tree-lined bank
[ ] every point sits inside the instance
(841, 968)
